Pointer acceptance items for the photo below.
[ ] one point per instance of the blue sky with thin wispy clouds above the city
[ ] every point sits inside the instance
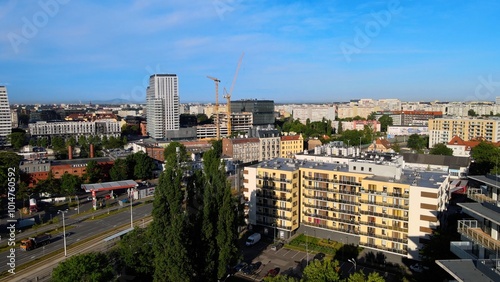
(295, 51)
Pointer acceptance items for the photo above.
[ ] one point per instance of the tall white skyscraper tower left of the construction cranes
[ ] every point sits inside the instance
(162, 102)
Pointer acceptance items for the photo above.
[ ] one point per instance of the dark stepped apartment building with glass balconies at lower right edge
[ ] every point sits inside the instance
(479, 248)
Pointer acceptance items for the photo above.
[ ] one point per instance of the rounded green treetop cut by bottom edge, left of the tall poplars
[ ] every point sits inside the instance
(86, 267)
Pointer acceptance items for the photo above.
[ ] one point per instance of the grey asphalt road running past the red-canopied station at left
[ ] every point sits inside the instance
(78, 230)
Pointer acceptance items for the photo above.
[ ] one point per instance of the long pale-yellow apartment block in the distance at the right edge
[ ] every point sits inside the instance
(442, 130)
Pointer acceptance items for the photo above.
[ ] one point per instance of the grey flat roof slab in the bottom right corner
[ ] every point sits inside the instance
(464, 270)
